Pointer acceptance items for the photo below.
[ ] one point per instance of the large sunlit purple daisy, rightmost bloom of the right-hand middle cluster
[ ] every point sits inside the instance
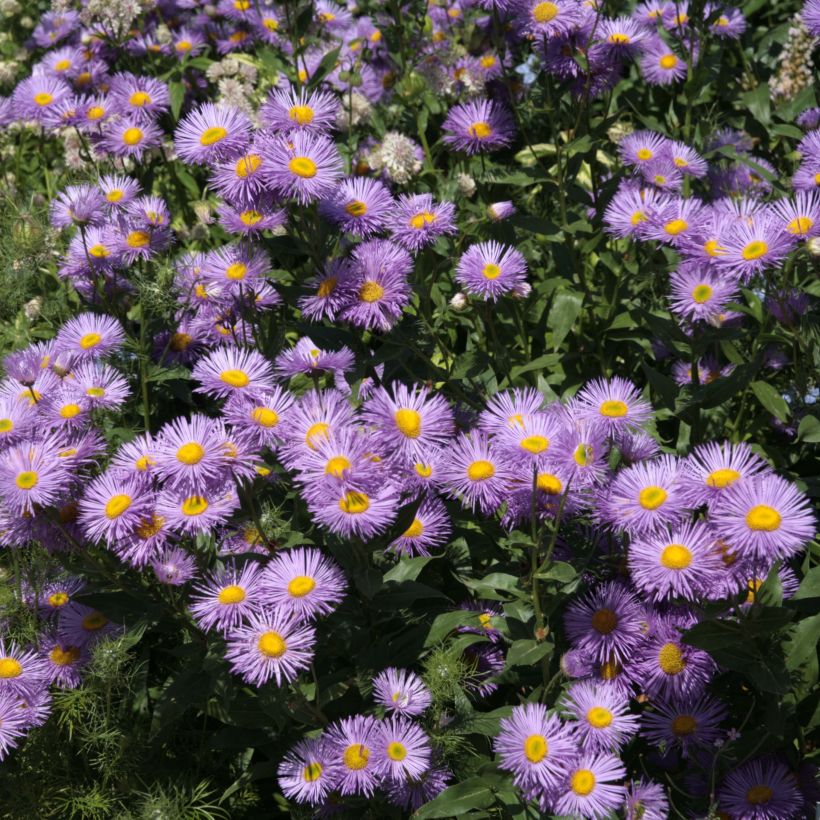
(766, 518)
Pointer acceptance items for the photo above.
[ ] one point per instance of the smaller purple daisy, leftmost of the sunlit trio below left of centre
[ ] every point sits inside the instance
(226, 597)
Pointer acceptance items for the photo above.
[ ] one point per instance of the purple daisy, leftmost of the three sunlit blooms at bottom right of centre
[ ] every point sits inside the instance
(536, 747)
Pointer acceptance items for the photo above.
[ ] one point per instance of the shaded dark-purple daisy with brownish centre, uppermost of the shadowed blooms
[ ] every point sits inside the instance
(608, 624)
